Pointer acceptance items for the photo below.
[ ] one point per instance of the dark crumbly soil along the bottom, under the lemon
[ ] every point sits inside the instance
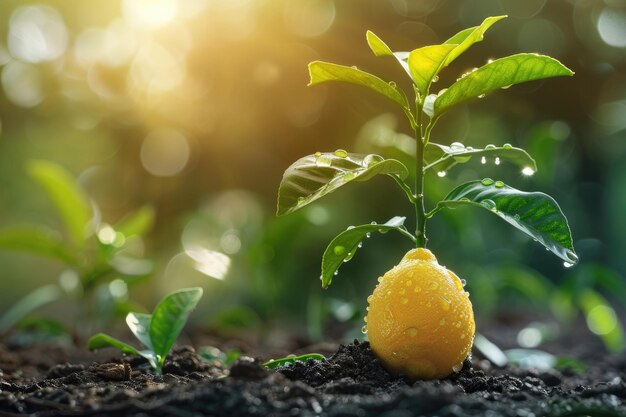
(351, 382)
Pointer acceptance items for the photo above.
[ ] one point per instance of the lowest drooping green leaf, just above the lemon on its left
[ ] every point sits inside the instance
(343, 247)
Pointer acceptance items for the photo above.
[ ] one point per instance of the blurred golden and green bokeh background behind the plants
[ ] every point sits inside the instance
(196, 107)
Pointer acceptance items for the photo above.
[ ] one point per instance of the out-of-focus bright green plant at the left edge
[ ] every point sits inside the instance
(93, 253)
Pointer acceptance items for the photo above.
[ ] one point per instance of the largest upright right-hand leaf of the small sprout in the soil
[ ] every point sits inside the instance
(169, 318)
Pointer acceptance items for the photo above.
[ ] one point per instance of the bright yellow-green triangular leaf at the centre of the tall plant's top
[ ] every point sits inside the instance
(425, 63)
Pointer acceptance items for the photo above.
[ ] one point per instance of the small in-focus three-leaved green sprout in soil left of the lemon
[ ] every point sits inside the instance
(157, 331)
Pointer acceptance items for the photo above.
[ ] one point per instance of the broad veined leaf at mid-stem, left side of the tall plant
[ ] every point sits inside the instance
(314, 176)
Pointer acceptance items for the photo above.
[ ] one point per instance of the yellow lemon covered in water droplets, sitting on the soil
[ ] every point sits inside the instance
(420, 321)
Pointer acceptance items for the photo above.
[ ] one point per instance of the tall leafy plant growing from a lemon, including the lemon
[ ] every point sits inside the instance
(420, 320)
